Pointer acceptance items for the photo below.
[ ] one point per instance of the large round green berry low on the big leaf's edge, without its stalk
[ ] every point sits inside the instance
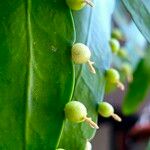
(75, 111)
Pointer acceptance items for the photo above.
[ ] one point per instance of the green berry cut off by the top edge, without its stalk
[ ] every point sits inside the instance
(75, 4)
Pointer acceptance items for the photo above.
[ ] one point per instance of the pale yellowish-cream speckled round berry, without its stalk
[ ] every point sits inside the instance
(80, 53)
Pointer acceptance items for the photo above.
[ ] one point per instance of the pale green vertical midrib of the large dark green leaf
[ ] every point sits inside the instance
(29, 66)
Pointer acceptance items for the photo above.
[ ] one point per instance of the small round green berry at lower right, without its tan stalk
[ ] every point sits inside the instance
(105, 109)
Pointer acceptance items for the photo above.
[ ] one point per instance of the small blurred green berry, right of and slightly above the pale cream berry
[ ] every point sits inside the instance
(115, 45)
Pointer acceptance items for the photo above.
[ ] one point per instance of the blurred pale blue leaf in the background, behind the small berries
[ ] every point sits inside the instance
(135, 42)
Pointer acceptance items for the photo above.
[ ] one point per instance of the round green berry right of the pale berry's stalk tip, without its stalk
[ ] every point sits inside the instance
(112, 76)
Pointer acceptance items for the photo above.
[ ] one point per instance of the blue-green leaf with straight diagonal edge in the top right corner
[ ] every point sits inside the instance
(140, 13)
